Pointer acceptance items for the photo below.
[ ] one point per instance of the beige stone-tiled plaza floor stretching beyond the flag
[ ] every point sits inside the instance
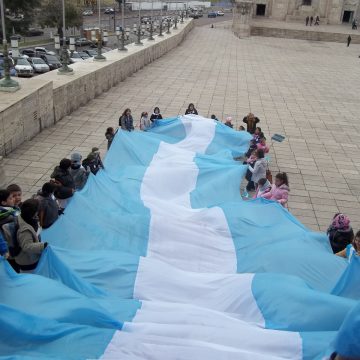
(307, 91)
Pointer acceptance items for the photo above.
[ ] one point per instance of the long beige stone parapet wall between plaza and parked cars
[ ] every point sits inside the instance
(45, 99)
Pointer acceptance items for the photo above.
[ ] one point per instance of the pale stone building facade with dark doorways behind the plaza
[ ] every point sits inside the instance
(329, 11)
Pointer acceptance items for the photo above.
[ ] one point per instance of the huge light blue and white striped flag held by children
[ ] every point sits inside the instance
(158, 257)
